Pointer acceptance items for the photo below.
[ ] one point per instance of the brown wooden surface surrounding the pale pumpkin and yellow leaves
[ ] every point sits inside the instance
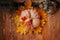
(51, 30)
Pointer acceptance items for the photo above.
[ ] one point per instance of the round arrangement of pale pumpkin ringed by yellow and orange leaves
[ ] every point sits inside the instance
(30, 20)
